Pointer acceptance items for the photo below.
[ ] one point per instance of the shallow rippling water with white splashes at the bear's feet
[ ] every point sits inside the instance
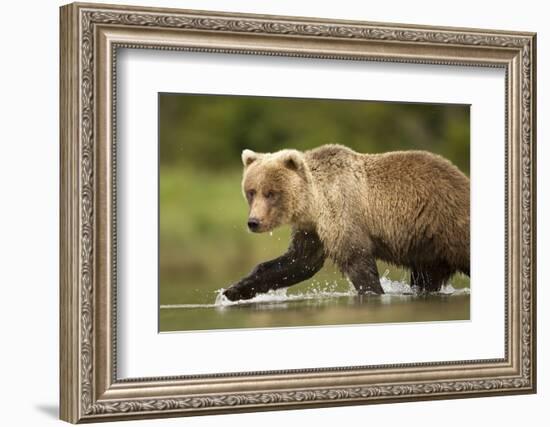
(319, 304)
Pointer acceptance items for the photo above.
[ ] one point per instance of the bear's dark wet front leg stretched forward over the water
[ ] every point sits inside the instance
(304, 257)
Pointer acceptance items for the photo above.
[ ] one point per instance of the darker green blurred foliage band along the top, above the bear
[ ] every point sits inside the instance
(211, 131)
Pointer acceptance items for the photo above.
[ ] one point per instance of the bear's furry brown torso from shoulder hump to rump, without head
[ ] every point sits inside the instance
(411, 204)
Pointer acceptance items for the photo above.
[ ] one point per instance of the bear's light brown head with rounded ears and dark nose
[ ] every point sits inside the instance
(277, 188)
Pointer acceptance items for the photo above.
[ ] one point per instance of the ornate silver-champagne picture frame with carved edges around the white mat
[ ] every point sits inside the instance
(90, 36)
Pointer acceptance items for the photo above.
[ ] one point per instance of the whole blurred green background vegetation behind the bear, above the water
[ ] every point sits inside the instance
(204, 245)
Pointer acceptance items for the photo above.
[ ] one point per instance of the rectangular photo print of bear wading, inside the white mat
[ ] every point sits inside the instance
(291, 212)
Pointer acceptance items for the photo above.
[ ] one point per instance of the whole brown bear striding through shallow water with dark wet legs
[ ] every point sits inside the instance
(407, 208)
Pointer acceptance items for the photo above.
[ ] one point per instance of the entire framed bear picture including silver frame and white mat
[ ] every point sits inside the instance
(243, 182)
